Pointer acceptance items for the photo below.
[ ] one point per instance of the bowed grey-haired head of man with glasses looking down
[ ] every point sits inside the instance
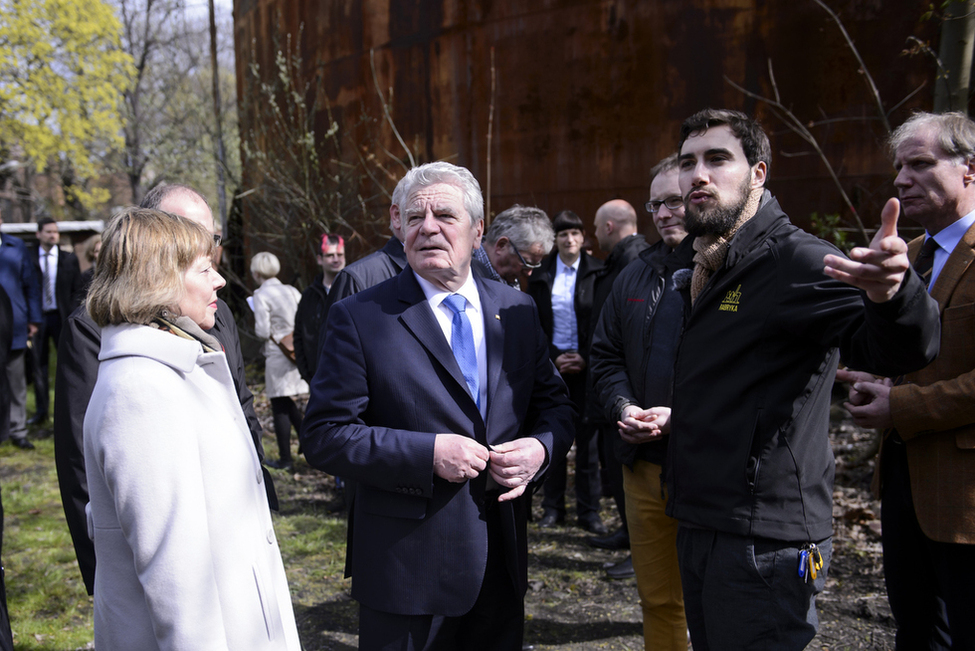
(515, 245)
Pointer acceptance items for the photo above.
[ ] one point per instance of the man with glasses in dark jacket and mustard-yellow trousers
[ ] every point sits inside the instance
(632, 362)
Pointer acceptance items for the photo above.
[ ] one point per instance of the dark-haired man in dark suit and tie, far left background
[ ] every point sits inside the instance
(62, 290)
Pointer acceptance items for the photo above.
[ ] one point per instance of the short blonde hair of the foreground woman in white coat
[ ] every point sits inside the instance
(140, 273)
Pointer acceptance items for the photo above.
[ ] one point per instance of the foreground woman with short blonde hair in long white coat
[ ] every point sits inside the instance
(187, 556)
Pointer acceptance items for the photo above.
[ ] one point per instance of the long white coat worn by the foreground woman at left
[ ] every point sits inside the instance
(187, 556)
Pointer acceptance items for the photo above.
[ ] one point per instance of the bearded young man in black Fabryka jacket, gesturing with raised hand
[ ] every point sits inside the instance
(771, 310)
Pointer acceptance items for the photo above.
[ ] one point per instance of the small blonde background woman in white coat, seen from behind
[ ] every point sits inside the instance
(275, 305)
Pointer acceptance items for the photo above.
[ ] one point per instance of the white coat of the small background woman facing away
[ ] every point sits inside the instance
(275, 305)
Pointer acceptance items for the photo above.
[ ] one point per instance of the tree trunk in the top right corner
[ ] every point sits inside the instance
(955, 52)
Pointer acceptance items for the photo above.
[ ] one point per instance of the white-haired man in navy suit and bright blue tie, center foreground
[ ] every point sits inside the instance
(435, 392)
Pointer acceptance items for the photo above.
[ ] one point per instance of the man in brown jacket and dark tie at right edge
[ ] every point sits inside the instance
(926, 468)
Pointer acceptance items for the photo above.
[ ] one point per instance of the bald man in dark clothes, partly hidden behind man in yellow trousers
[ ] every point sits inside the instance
(616, 231)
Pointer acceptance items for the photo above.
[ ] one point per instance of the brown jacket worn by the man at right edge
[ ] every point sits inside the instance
(934, 409)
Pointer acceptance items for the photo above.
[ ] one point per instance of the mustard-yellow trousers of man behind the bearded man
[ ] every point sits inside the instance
(653, 543)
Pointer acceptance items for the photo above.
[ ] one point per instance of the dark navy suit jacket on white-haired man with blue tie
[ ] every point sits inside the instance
(387, 384)
